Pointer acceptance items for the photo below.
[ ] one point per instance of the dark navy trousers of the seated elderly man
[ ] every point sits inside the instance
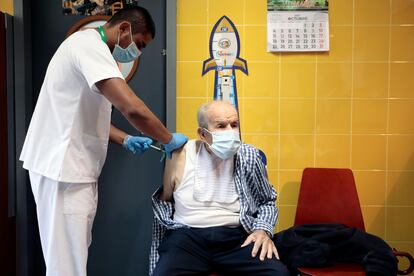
(201, 251)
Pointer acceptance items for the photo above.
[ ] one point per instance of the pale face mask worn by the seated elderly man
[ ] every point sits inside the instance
(225, 143)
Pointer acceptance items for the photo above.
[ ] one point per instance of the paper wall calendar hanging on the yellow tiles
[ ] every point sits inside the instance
(297, 25)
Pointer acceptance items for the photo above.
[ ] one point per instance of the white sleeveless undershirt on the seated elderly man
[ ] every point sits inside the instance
(197, 212)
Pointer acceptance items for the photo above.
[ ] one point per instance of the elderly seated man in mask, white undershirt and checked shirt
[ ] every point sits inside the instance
(216, 210)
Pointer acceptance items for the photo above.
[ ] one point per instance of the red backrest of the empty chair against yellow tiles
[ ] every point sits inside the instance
(329, 196)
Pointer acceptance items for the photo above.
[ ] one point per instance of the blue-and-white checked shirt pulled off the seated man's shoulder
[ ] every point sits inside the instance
(257, 201)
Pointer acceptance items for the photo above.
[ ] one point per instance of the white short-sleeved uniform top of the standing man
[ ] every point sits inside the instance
(67, 139)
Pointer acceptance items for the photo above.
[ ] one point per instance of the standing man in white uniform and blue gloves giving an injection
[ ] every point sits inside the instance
(67, 140)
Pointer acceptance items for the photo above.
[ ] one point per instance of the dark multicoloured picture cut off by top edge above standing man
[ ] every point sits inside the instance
(95, 7)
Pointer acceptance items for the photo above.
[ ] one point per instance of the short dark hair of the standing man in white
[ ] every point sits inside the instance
(140, 19)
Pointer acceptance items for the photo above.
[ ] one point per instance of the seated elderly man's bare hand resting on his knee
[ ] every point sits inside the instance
(261, 240)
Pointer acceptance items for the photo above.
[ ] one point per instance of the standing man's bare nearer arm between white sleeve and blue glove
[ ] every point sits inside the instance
(118, 92)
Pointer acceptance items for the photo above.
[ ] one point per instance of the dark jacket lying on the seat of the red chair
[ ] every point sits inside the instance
(316, 245)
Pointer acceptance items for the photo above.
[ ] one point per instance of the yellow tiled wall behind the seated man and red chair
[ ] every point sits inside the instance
(352, 107)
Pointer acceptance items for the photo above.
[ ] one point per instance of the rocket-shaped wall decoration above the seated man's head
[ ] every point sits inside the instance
(224, 60)
